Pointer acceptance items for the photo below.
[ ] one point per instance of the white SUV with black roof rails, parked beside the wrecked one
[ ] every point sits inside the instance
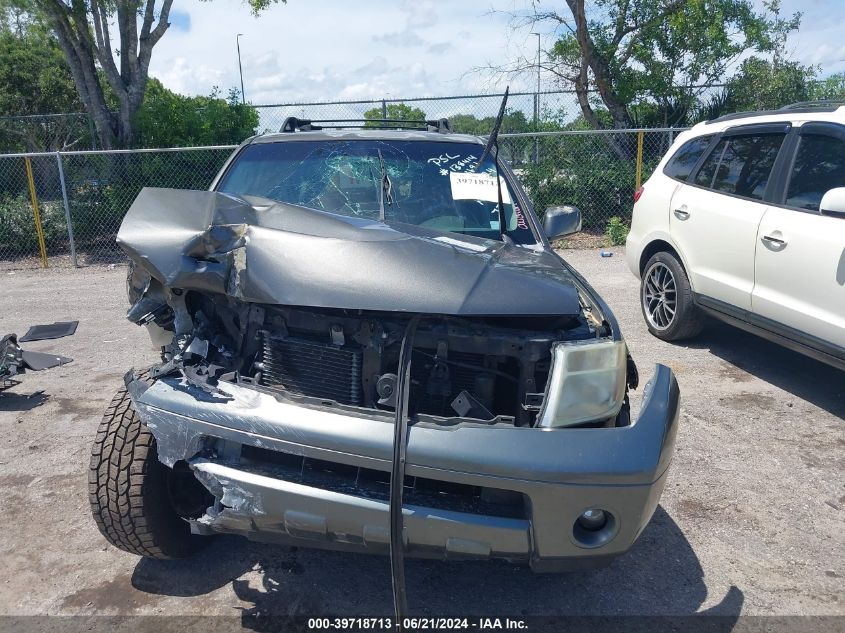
(744, 220)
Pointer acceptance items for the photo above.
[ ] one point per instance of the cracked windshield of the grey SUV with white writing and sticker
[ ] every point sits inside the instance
(432, 184)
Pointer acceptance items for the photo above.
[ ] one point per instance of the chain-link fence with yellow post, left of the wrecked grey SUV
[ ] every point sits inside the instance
(81, 198)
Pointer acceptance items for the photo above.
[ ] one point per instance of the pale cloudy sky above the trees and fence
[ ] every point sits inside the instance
(318, 50)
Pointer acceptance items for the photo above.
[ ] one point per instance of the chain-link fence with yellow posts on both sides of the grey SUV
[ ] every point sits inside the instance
(72, 203)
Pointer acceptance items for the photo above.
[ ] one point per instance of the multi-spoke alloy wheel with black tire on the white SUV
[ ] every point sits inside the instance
(666, 300)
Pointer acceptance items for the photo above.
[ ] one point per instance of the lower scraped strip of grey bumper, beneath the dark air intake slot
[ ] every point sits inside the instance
(266, 508)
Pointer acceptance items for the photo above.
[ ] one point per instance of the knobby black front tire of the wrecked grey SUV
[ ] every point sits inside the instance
(139, 504)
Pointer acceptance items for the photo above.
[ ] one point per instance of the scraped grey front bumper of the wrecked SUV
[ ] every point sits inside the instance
(559, 474)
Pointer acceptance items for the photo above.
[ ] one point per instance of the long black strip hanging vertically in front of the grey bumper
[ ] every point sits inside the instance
(397, 473)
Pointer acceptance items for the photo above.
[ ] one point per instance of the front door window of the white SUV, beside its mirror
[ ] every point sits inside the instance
(819, 167)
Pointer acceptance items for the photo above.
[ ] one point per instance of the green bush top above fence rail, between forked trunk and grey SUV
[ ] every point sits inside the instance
(168, 119)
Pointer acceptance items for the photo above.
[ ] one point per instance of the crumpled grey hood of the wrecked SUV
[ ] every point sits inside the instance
(264, 251)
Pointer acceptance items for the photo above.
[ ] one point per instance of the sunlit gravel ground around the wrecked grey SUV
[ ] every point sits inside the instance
(751, 521)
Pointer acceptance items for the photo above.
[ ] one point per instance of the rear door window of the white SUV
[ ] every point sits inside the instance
(741, 165)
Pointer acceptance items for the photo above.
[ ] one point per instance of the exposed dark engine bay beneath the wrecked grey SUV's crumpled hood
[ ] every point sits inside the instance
(488, 369)
